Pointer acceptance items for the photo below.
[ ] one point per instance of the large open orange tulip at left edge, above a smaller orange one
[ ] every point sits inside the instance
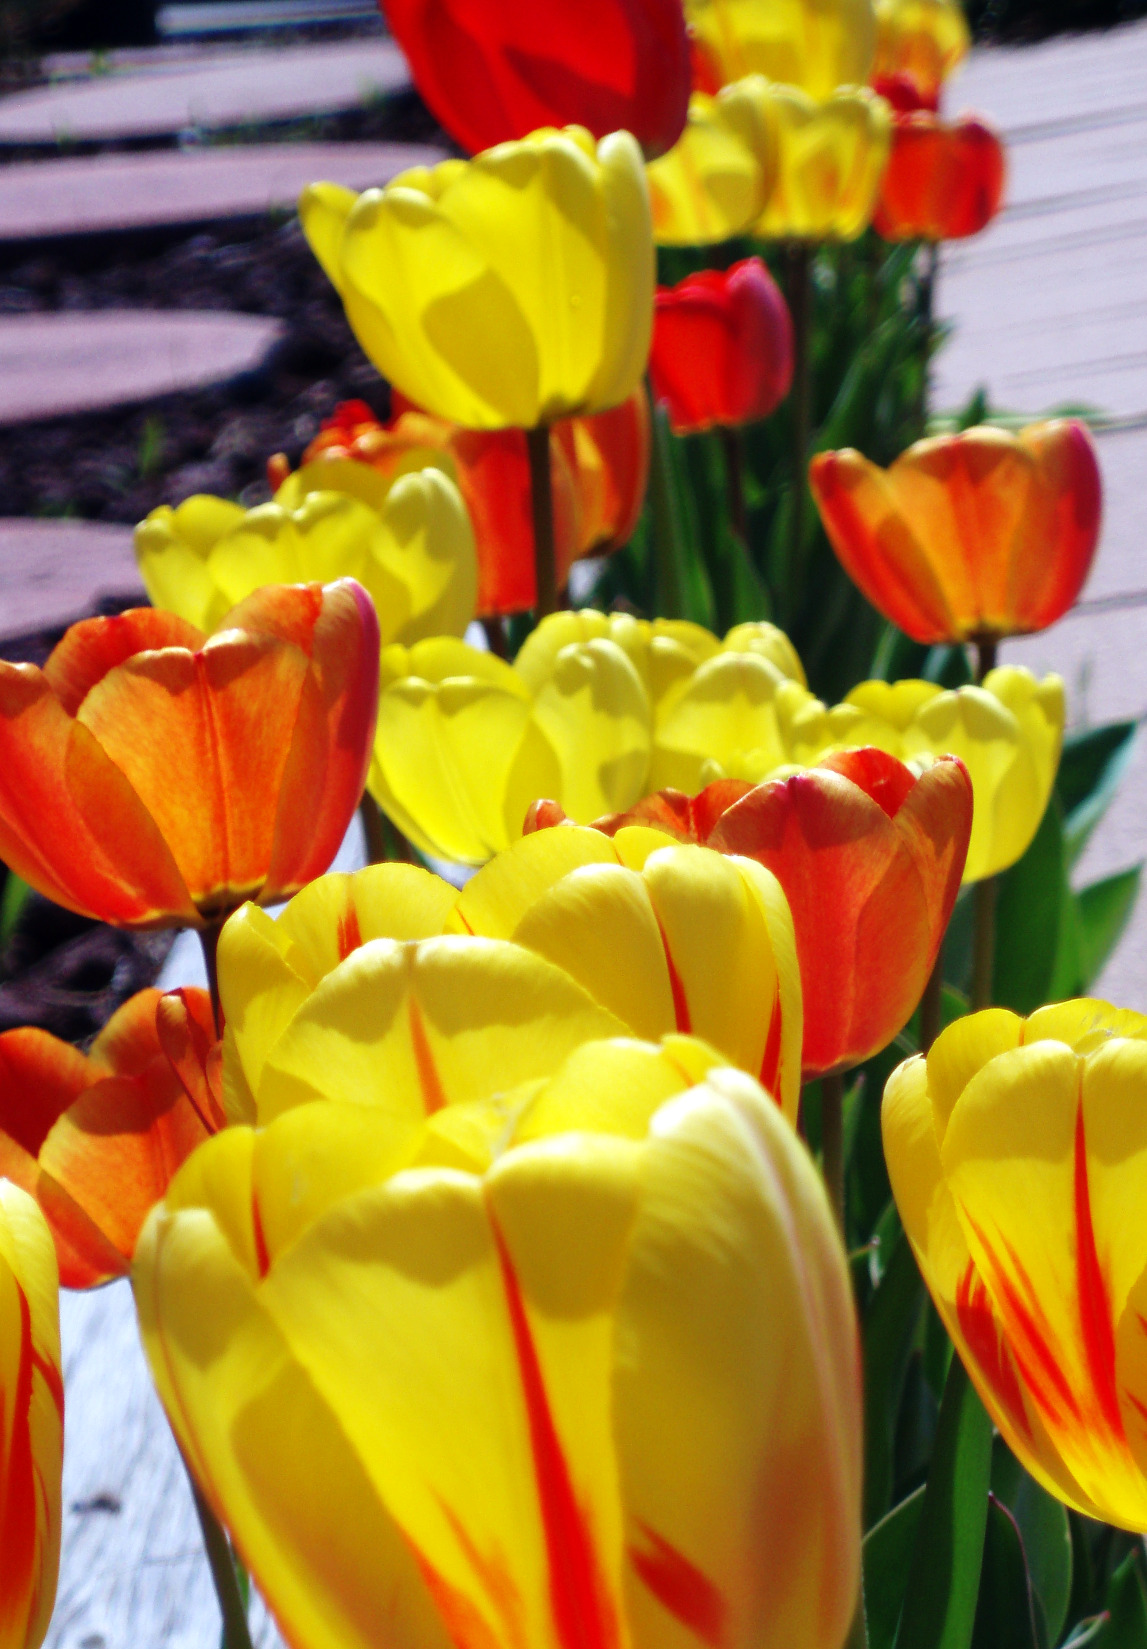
(154, 778)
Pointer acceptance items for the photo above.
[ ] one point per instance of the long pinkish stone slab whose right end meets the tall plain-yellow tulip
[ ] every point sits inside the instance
(152, 189)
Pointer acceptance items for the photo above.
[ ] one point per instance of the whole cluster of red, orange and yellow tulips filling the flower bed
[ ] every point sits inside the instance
(489, 1231)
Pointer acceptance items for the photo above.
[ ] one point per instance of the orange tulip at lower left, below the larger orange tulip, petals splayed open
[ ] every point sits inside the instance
(96, 1137)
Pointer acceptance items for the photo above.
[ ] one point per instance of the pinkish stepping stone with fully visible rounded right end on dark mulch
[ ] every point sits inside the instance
(62, 364)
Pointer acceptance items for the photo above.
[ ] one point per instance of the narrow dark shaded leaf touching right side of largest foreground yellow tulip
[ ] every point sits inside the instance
(891, 1327)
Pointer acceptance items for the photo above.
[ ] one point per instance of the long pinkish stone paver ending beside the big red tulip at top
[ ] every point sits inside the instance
(233, 88)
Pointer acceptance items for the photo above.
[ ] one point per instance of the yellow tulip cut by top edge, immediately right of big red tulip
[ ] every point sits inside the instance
(817, 45)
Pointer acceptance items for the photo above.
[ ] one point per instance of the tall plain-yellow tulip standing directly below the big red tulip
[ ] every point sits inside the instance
(505, 291)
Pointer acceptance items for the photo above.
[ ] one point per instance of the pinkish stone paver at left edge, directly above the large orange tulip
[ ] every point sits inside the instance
(57, 571)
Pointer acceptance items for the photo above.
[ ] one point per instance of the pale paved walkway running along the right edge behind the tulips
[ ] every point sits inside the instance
(1051, 311)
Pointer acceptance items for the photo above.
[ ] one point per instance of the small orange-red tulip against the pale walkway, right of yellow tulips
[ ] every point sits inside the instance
(943, 182)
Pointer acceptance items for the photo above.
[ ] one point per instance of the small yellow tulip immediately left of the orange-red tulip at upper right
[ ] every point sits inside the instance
(831, 159)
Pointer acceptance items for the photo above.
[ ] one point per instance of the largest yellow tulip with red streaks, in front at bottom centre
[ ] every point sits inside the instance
(561, 1368)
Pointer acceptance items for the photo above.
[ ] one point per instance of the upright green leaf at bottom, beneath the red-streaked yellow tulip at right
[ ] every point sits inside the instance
(945, 1572)
